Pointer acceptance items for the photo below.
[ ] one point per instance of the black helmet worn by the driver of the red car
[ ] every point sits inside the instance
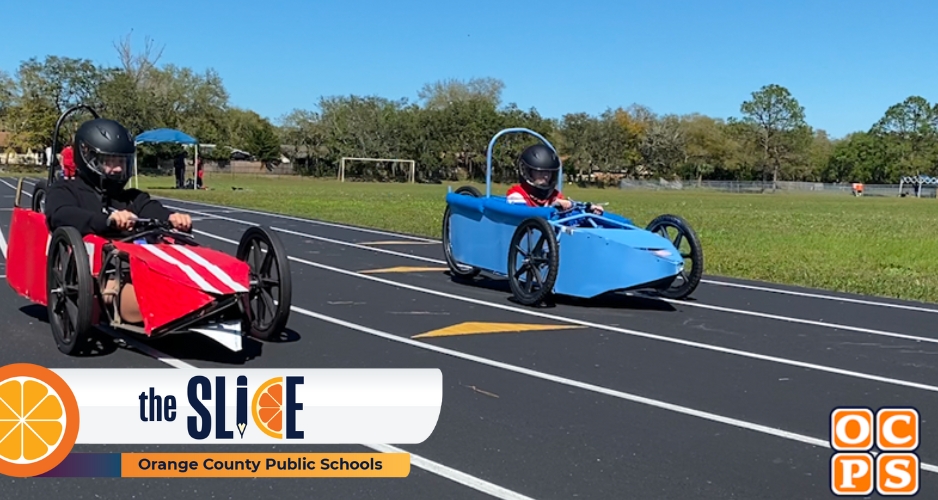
(102, 144)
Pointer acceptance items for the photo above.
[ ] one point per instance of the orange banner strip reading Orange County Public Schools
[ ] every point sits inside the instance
(265, 464)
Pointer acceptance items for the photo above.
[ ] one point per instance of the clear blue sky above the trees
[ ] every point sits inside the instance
(845, 61)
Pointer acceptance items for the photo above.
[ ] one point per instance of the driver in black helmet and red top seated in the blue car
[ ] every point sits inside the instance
(538, 174)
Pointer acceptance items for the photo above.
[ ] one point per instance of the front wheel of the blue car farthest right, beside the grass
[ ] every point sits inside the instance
(686, 241)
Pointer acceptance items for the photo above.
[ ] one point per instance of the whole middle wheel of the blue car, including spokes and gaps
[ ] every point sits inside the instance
(533, 250)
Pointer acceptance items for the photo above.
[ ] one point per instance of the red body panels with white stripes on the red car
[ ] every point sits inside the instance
(170, 281)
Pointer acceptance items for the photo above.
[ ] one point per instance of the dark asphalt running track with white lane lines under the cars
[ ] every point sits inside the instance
(726, 396)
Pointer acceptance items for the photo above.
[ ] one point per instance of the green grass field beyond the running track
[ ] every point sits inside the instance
(877, 246)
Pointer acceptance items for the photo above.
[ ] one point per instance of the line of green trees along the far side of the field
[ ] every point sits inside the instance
(447, 130)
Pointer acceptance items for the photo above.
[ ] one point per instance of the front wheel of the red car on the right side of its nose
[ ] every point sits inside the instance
(271, 295)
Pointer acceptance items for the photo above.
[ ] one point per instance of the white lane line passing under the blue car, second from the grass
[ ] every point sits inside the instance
(835, 326)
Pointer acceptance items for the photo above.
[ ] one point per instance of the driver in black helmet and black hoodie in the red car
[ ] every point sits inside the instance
(97, 203)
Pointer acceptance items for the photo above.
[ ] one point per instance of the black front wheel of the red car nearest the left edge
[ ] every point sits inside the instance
(69, 289)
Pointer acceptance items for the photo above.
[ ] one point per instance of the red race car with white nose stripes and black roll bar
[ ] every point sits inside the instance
(180, 286)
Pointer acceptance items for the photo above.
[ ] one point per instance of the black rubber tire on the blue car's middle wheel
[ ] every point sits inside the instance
(521, 292)
